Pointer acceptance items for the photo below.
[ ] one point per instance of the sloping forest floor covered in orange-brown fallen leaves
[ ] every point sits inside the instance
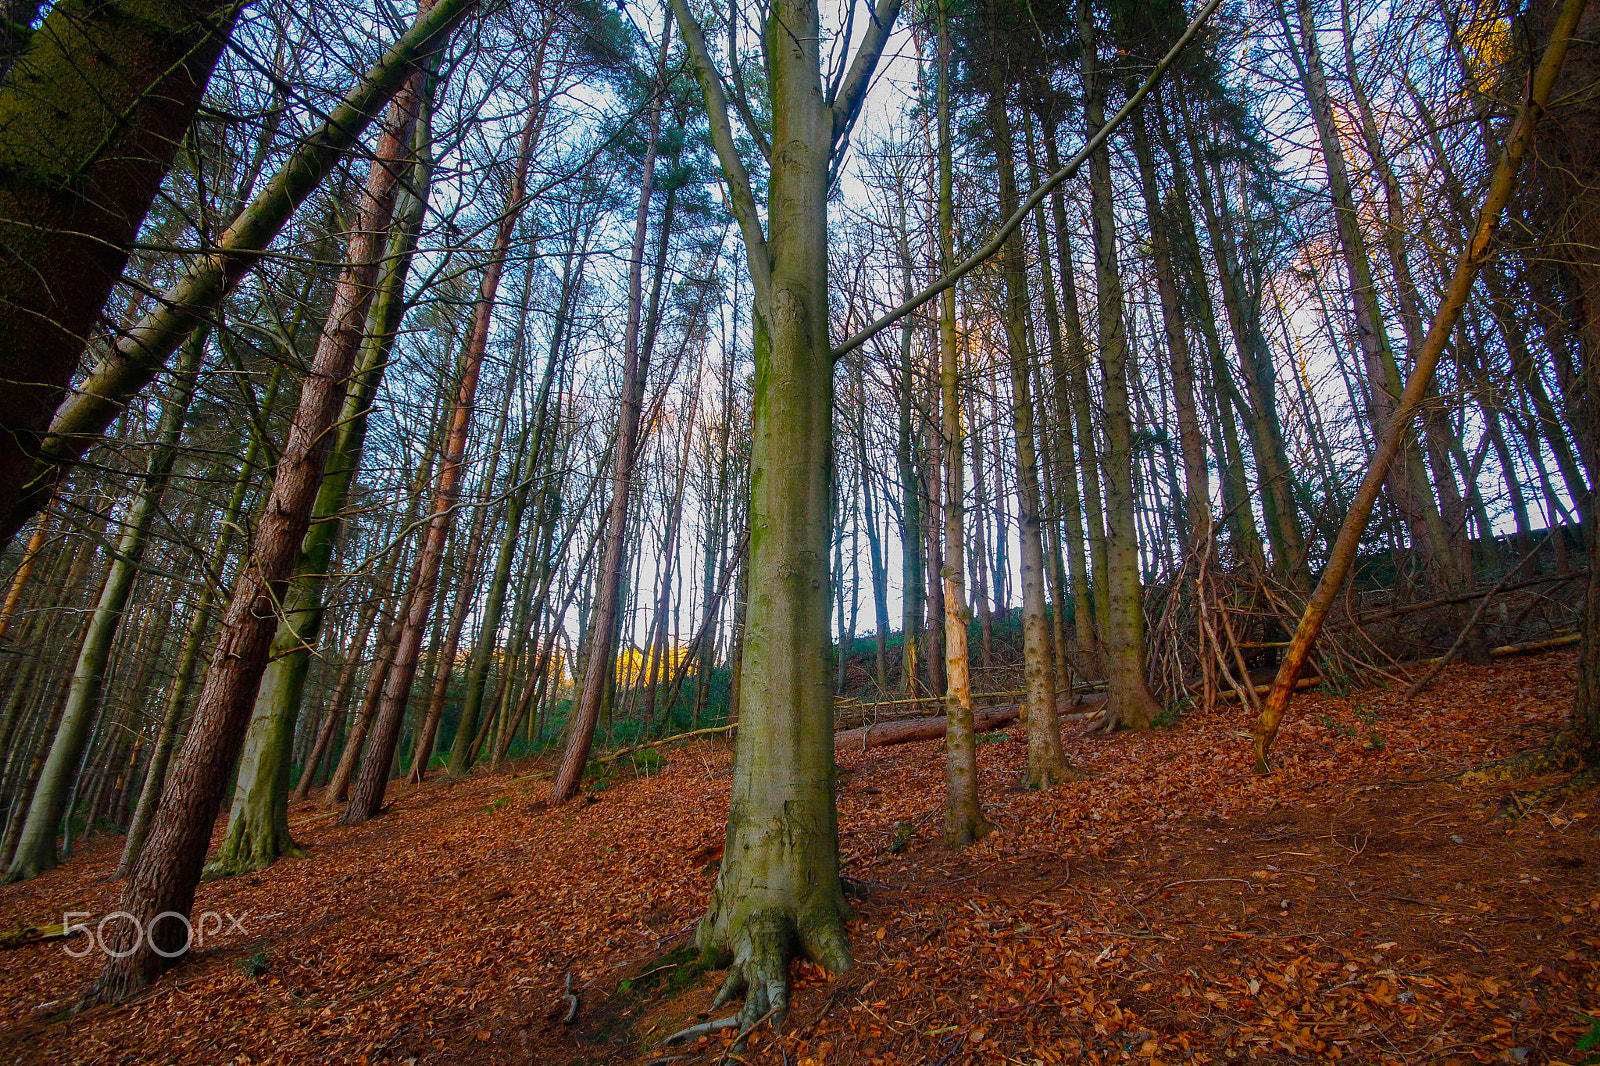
(1172, 908)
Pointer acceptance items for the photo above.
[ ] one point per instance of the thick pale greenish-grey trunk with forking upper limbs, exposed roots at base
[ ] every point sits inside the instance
(778, 894)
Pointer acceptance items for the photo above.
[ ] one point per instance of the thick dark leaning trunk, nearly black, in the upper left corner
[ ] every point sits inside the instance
(84, 150)
